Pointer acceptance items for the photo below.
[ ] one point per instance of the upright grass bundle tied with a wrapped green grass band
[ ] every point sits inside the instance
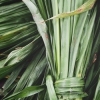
(68, 43)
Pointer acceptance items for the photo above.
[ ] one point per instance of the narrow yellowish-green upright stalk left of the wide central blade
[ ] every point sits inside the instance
(56, 36)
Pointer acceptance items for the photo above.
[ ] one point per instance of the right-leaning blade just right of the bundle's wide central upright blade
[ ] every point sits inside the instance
(75, 42)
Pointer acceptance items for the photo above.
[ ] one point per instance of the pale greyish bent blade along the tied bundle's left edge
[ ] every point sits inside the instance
(42, 28)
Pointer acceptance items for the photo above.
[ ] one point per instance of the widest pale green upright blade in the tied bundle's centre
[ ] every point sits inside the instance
(65, 42)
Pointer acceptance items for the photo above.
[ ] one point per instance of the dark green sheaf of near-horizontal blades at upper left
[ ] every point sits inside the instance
(15, 29)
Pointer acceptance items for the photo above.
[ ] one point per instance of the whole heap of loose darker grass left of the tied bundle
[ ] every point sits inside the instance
(22, 56)
